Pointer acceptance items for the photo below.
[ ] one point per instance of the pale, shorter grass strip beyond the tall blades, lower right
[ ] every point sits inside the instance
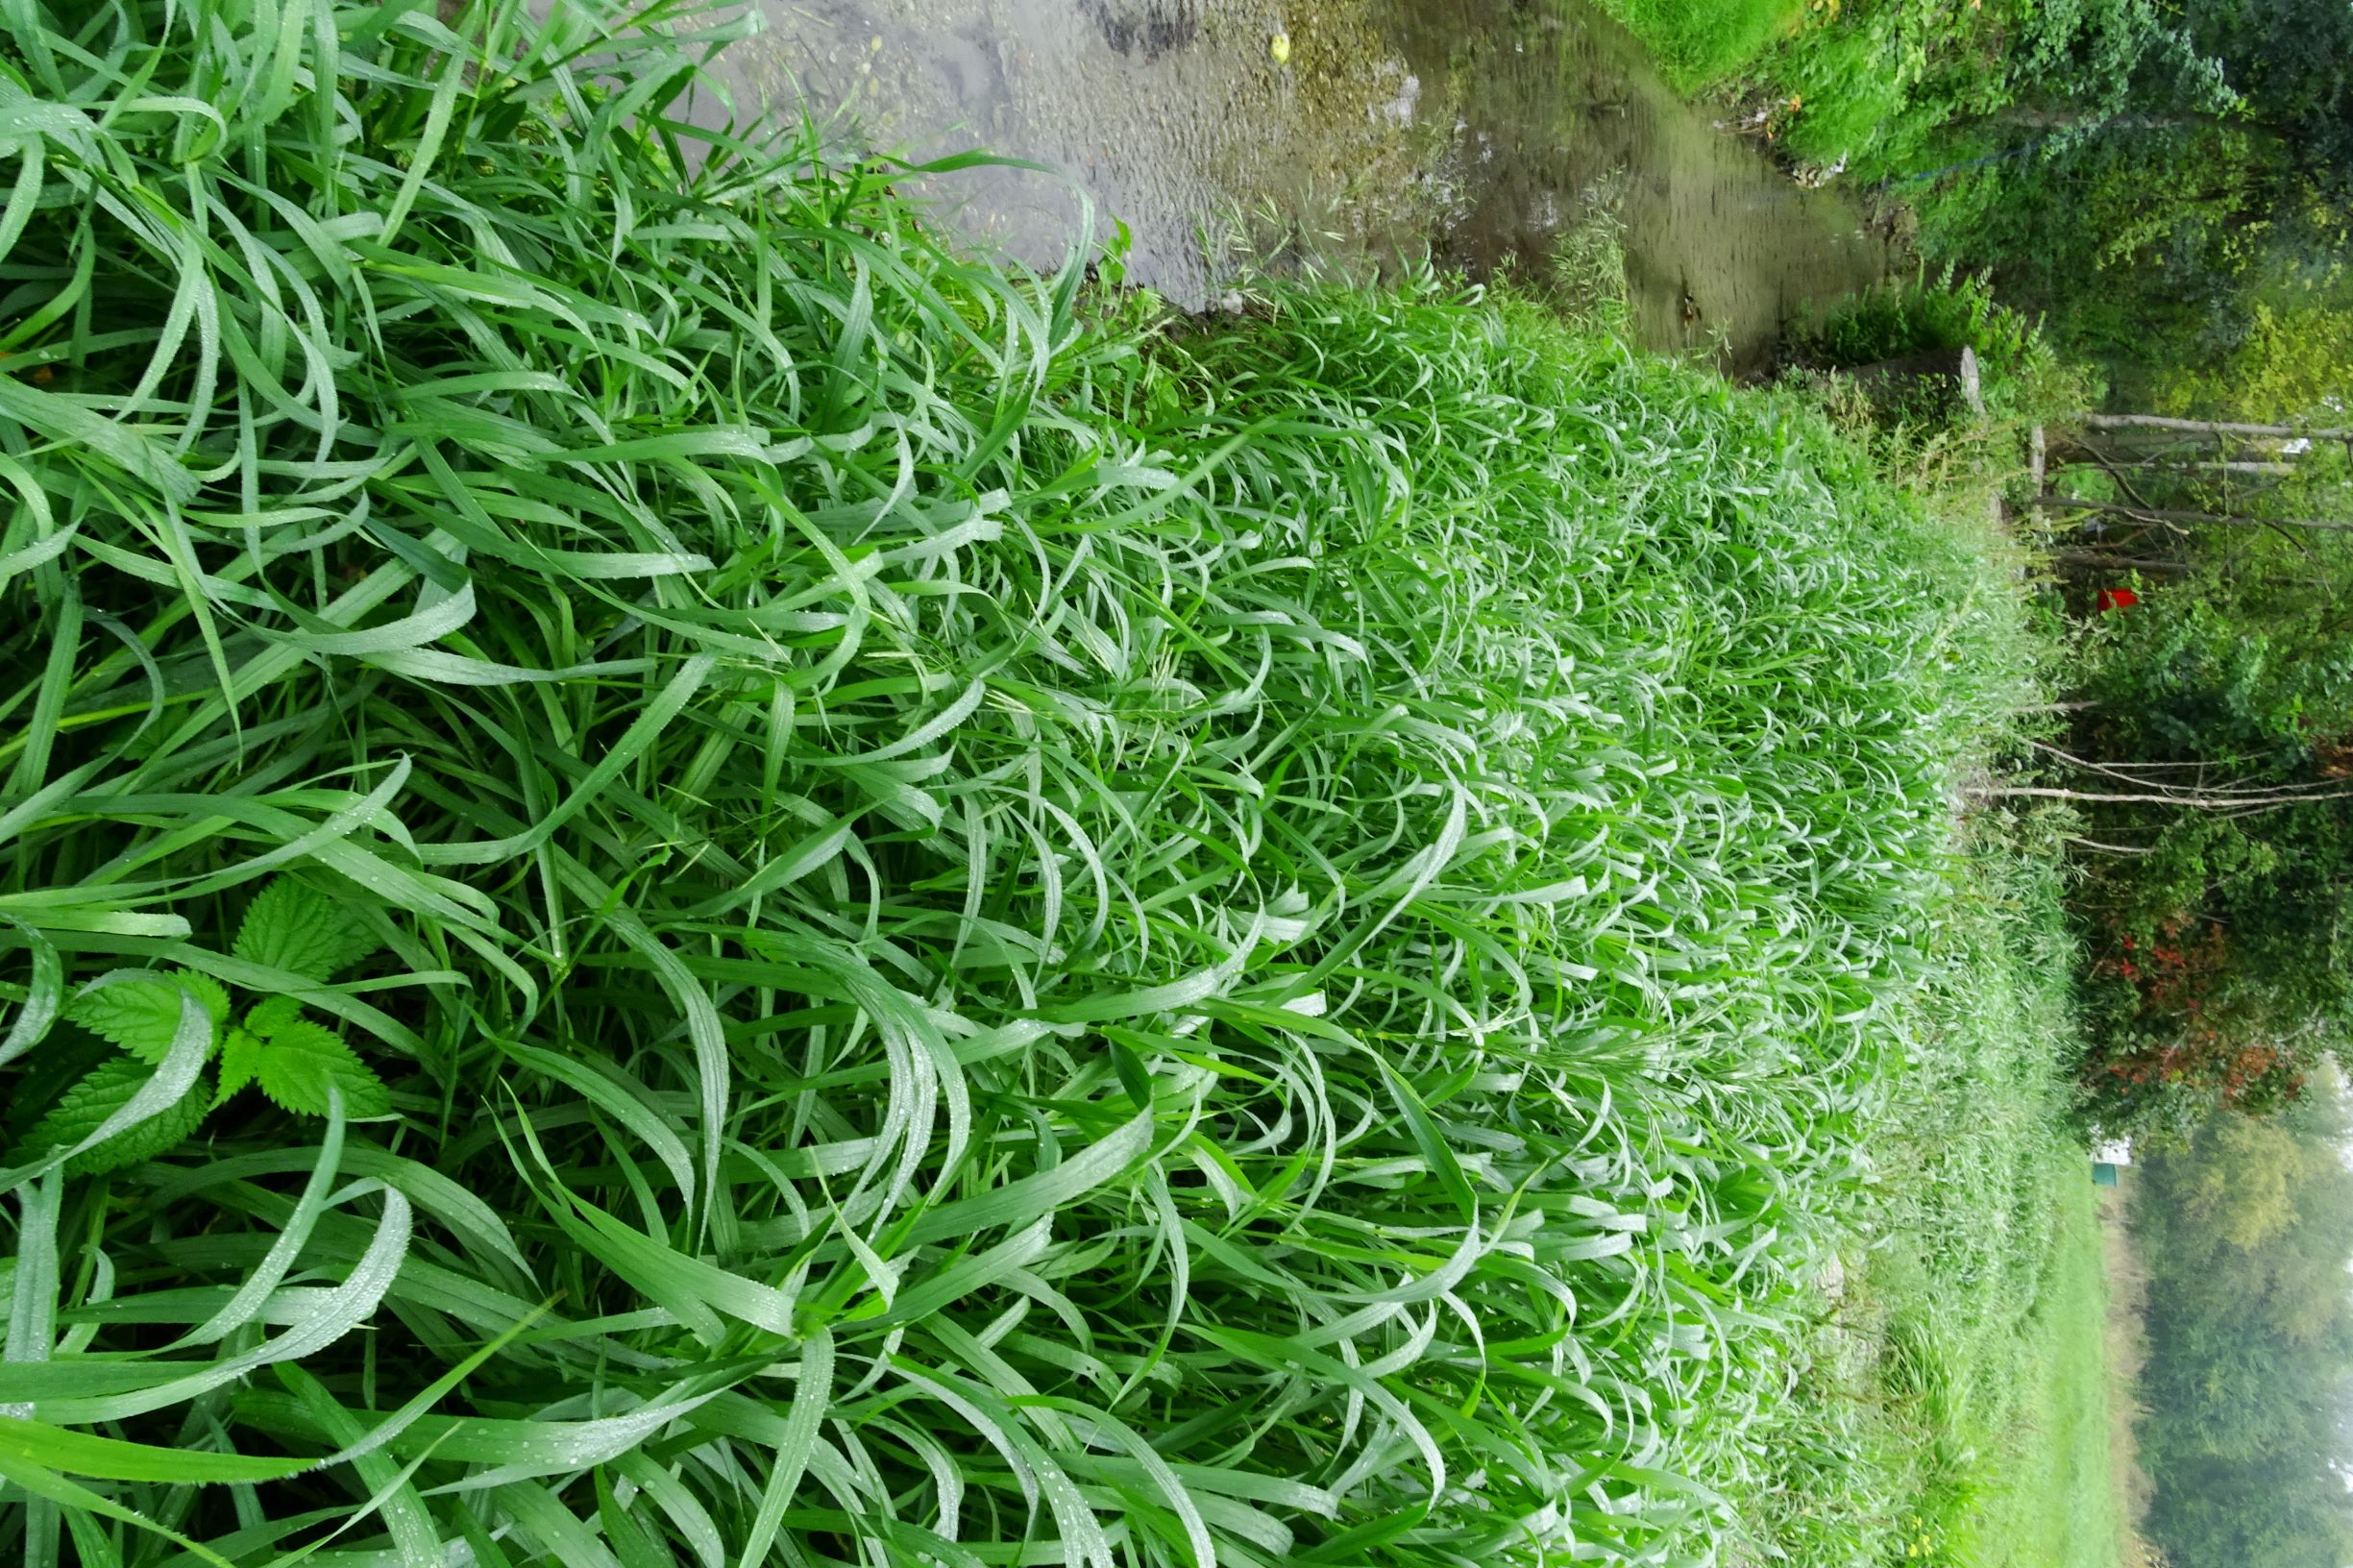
(1957, 1404)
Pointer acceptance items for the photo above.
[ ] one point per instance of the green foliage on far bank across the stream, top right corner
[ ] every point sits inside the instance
(2147, 173)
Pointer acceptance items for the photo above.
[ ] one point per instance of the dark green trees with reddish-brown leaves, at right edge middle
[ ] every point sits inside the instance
(2215, 771)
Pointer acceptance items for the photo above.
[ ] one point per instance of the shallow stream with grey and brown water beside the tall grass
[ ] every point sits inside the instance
(1474, 128)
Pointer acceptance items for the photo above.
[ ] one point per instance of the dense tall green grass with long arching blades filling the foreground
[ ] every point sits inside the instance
(879, 910)
